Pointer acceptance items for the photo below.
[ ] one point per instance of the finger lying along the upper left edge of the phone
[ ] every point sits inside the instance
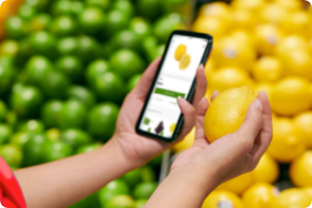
(146, 80)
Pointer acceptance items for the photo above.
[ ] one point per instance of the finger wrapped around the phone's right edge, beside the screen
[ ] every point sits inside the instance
(201, 85)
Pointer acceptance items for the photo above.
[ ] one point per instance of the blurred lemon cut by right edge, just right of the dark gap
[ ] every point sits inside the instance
(300, 170)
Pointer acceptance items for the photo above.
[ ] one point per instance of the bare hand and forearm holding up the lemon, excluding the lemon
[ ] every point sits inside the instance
(197, 171)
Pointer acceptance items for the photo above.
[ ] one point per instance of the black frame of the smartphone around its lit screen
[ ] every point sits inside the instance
(190, 94)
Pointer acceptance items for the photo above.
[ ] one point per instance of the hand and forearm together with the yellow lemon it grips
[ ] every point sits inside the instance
(230, 138)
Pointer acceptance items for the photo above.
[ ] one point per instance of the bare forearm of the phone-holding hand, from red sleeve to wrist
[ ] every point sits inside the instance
(62, 183)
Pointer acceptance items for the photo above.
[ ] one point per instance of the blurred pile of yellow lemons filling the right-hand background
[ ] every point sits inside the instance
(267, 45)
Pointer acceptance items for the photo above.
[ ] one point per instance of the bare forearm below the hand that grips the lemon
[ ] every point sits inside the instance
(181, 190)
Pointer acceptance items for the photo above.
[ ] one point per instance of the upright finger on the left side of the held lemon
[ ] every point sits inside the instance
(200, 137)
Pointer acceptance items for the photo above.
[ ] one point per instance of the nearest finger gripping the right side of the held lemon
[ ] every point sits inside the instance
(249, 130)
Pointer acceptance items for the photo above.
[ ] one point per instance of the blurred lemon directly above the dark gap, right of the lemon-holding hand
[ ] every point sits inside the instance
(286, 145)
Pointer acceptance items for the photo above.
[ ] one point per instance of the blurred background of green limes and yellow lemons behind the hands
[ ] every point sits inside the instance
(66, 66)
